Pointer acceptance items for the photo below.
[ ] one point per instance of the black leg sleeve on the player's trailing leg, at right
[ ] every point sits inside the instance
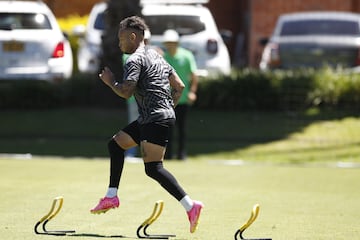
(156, 171)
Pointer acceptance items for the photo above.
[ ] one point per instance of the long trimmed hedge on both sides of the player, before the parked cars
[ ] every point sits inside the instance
(246, 89)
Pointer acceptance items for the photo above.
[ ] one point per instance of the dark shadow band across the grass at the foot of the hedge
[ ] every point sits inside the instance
(85, 132)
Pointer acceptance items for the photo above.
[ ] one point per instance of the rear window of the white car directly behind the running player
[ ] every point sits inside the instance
(184, 25)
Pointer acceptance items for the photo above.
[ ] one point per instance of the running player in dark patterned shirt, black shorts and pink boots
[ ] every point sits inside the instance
(157, 89)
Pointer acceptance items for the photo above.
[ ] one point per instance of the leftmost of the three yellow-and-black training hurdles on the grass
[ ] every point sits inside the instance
(54, 210)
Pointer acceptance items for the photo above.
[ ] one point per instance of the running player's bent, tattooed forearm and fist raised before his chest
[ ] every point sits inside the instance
(124, 89)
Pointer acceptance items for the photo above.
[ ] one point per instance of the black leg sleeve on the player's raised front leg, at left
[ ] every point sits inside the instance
(116, 163)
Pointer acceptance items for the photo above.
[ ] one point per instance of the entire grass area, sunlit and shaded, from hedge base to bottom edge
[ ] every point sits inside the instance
(302, 168)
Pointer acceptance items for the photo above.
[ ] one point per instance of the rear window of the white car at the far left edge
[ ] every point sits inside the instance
(10, 21)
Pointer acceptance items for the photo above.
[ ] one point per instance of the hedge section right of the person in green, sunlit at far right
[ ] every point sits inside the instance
(281, 90)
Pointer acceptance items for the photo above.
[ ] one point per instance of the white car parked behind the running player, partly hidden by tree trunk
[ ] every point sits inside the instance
(194, 22)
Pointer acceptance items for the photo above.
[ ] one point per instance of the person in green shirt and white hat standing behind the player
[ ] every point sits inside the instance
(183, 61)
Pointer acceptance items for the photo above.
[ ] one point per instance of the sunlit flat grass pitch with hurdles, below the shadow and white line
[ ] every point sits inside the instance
(312, 201)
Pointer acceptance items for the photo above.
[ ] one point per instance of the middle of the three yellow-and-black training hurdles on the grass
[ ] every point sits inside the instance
(142, 229)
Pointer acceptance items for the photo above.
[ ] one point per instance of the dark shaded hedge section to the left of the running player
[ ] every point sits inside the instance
(81, 90)
